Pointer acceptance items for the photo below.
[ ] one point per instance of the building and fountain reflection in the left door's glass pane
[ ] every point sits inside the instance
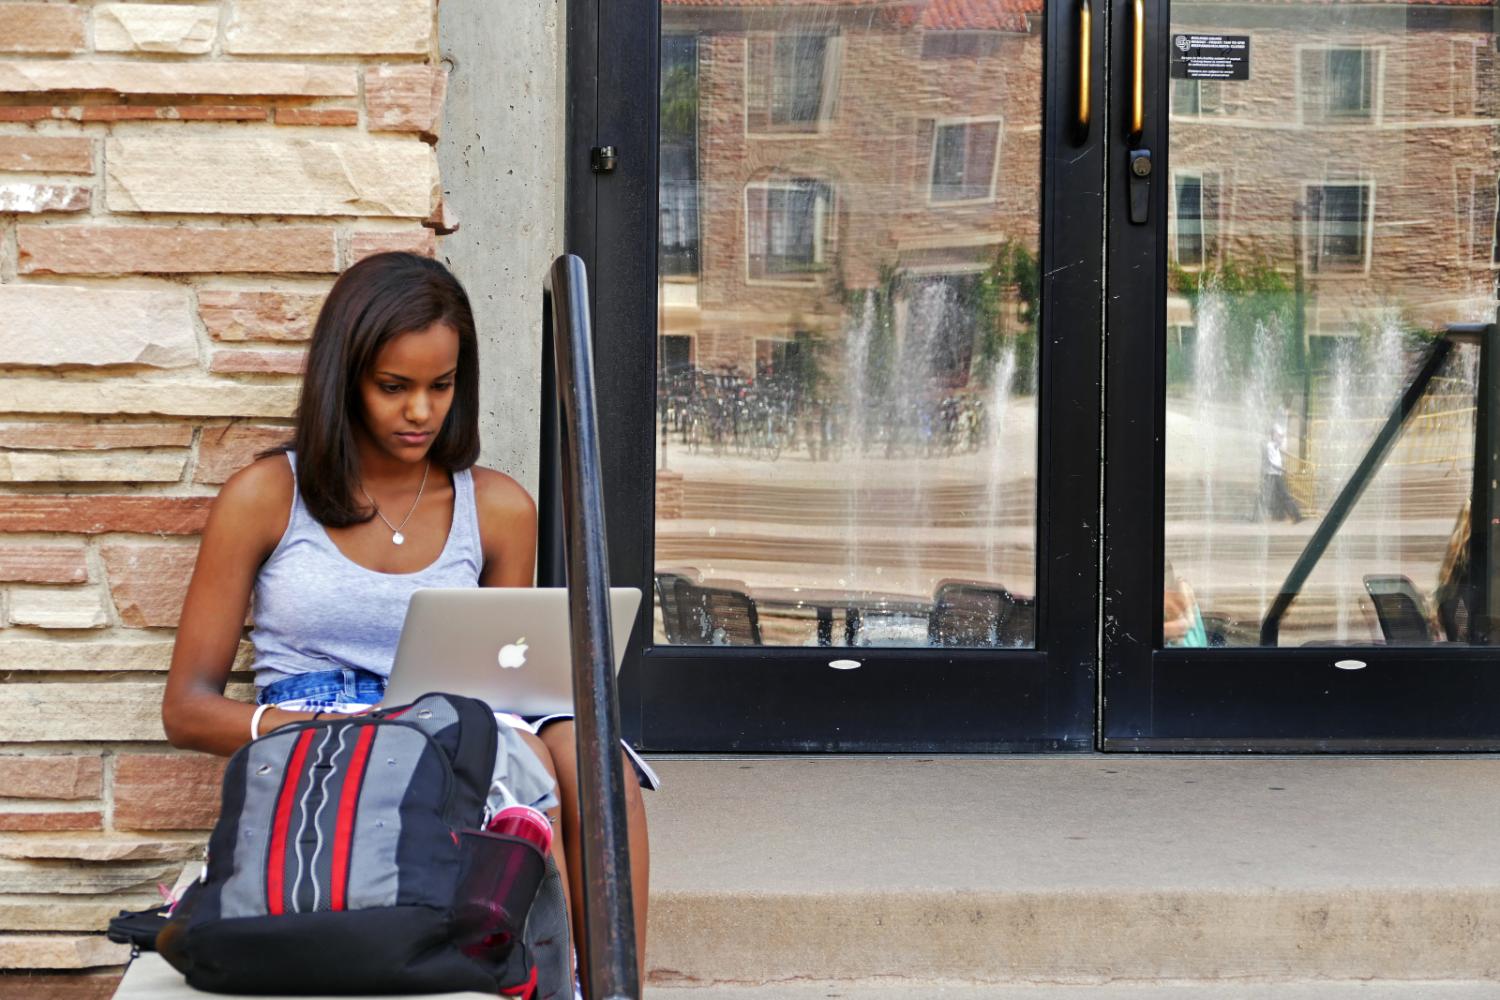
(848, 323)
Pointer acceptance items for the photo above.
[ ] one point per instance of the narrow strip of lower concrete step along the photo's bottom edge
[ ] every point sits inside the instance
(1322, 990)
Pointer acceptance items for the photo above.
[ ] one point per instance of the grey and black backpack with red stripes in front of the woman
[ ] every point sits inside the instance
(350, 858)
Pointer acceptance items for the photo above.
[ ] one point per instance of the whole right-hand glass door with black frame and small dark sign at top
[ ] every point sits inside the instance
(1301, 552)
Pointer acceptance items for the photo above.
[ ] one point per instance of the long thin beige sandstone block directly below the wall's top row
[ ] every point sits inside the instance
(260, 80)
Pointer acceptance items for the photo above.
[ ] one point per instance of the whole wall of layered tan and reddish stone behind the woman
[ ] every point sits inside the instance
(179, 185)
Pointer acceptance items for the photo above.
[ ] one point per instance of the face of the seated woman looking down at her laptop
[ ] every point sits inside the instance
(409, 389)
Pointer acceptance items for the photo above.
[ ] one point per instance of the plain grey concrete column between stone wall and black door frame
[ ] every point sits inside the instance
(502, 161)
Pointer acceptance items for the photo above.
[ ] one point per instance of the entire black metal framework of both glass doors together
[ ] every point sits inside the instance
(1148, 699)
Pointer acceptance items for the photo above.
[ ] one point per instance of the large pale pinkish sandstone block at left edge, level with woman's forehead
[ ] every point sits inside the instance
(55, 325)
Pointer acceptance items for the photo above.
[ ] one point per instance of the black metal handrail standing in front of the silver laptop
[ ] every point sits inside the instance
(608, 920)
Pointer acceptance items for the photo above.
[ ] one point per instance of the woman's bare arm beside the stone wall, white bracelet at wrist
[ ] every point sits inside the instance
(245, 524)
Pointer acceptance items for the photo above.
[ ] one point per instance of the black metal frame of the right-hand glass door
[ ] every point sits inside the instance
(1237, 699)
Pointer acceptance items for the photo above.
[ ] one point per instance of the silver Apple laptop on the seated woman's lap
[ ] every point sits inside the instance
(509, 647)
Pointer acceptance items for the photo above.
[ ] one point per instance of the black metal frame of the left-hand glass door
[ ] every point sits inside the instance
(785, 699)
